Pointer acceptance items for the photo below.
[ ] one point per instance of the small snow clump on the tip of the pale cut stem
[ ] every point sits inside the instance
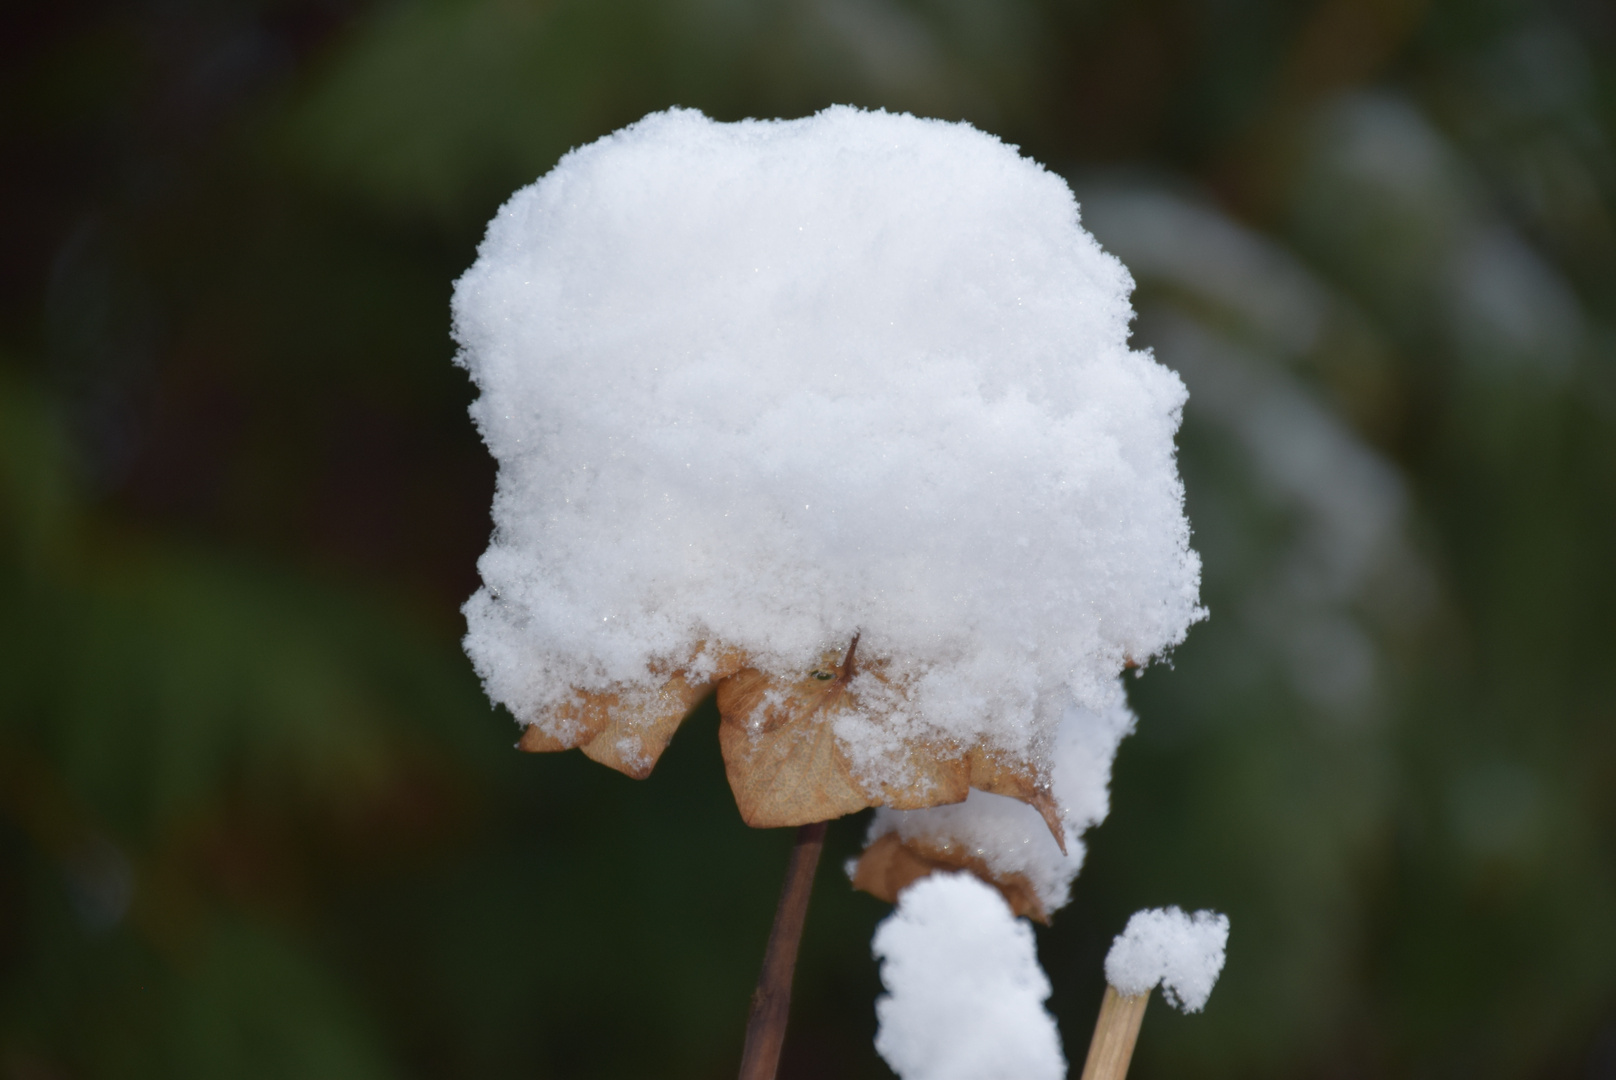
(1182, 953)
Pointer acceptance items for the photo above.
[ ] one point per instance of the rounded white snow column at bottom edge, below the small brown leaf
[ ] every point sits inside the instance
(966, 995)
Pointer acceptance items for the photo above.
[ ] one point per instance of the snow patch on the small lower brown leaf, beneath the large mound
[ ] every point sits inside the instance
(1011, 837)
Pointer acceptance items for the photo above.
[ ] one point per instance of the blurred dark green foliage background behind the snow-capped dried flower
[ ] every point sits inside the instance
(256, 817)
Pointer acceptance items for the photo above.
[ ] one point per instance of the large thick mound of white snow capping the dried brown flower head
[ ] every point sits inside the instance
(773, 384)
